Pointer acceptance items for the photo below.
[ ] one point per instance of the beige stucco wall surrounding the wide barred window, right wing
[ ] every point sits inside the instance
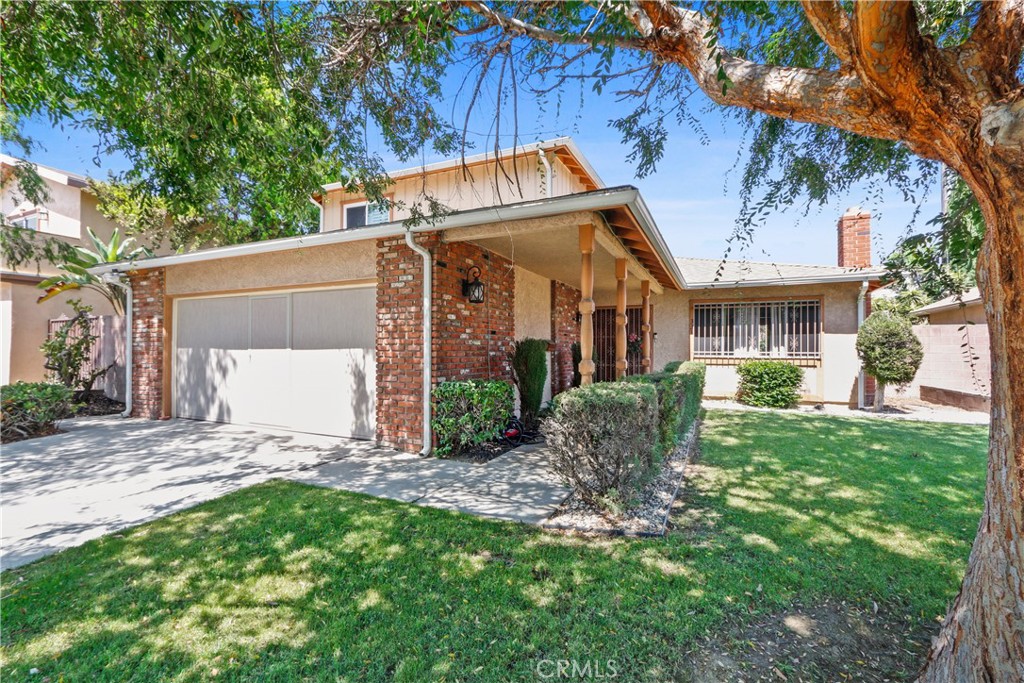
(835, 380)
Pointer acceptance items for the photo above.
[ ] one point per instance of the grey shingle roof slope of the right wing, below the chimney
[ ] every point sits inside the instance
(716, 273)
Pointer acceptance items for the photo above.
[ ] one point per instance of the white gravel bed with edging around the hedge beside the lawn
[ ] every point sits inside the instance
(649, 519)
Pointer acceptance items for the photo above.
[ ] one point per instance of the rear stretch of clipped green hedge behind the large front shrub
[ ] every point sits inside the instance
(679, 396)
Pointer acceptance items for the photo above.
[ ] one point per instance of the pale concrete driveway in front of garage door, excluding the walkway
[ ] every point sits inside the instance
(108, 474)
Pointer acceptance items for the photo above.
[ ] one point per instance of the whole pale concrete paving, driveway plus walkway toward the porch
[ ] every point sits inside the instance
(105, 475)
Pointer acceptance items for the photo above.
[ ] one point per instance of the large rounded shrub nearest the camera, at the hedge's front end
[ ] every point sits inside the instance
(603, 440)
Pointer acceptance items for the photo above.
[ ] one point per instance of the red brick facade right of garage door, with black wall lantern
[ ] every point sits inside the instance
(470, 340)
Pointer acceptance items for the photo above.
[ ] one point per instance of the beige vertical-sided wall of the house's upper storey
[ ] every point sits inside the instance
(483, 187)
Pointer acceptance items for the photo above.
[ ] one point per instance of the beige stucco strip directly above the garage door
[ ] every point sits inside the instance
(324, 265)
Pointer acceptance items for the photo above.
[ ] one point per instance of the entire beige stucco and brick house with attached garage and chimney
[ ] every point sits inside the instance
(325, 333)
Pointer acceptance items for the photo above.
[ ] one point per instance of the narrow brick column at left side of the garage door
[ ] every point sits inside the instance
(148, 344)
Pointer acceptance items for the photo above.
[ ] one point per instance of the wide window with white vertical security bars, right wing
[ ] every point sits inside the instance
(758, 330)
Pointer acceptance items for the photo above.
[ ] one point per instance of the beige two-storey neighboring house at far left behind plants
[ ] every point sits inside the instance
(25, 324)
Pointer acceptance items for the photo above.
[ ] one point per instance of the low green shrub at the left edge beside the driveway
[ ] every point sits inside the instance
(32, 409)
